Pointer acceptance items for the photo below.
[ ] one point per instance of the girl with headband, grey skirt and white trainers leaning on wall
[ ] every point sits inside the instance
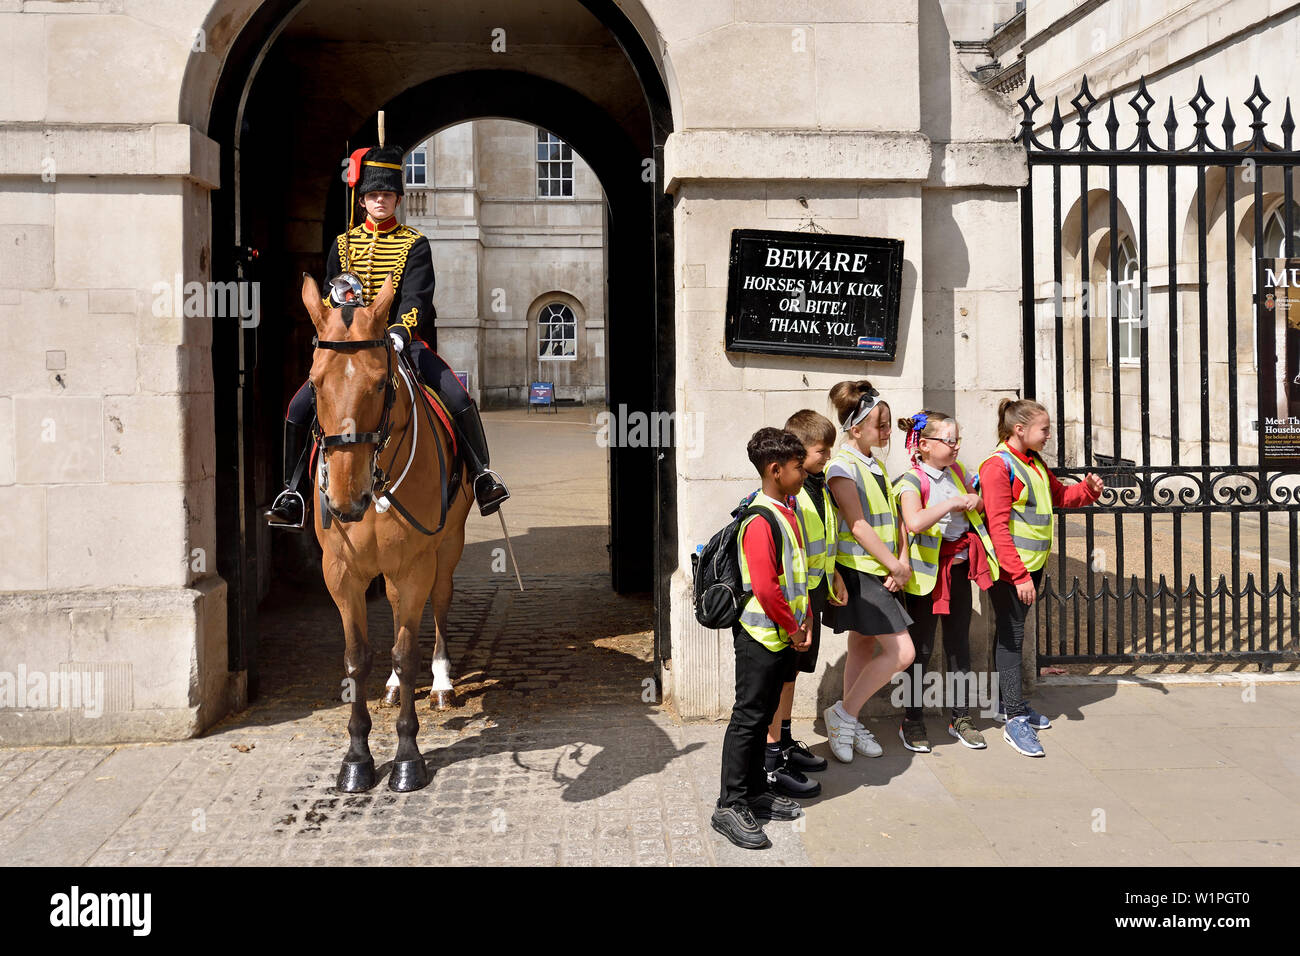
(868, 544)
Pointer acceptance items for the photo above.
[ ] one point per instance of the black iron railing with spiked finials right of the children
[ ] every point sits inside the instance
(1094, 607)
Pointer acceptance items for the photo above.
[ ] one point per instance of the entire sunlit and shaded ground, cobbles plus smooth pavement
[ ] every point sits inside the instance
(558, 755)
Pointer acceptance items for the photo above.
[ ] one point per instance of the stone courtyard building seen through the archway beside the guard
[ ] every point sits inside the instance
(515, 220)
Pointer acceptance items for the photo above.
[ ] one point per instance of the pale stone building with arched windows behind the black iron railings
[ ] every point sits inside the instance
(1175, 47)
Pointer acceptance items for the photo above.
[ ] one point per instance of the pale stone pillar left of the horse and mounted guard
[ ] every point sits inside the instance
(109, 586)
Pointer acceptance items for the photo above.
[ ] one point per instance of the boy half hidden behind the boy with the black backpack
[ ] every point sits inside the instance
(788, 760)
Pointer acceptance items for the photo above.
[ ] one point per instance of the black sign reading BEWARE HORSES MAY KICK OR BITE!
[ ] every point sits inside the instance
(744, 305)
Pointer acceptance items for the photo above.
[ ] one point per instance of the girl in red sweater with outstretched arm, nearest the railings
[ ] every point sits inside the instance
(1020, 494)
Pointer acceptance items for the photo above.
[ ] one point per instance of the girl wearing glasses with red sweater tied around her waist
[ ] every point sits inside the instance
(950, 548)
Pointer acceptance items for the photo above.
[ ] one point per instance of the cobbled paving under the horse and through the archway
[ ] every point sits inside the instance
(556, 752)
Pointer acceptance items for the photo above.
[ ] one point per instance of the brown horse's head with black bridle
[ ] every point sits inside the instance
(352, 392)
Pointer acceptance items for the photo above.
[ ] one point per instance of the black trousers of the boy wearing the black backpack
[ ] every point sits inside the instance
(760, 676)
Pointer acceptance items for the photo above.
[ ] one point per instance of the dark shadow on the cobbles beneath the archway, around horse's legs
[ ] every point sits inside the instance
(564, 664)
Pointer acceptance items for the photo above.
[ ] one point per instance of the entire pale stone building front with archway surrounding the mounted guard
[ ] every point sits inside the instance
(148, 150)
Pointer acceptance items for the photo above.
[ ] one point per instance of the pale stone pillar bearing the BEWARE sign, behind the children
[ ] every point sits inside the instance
(904, 146)
